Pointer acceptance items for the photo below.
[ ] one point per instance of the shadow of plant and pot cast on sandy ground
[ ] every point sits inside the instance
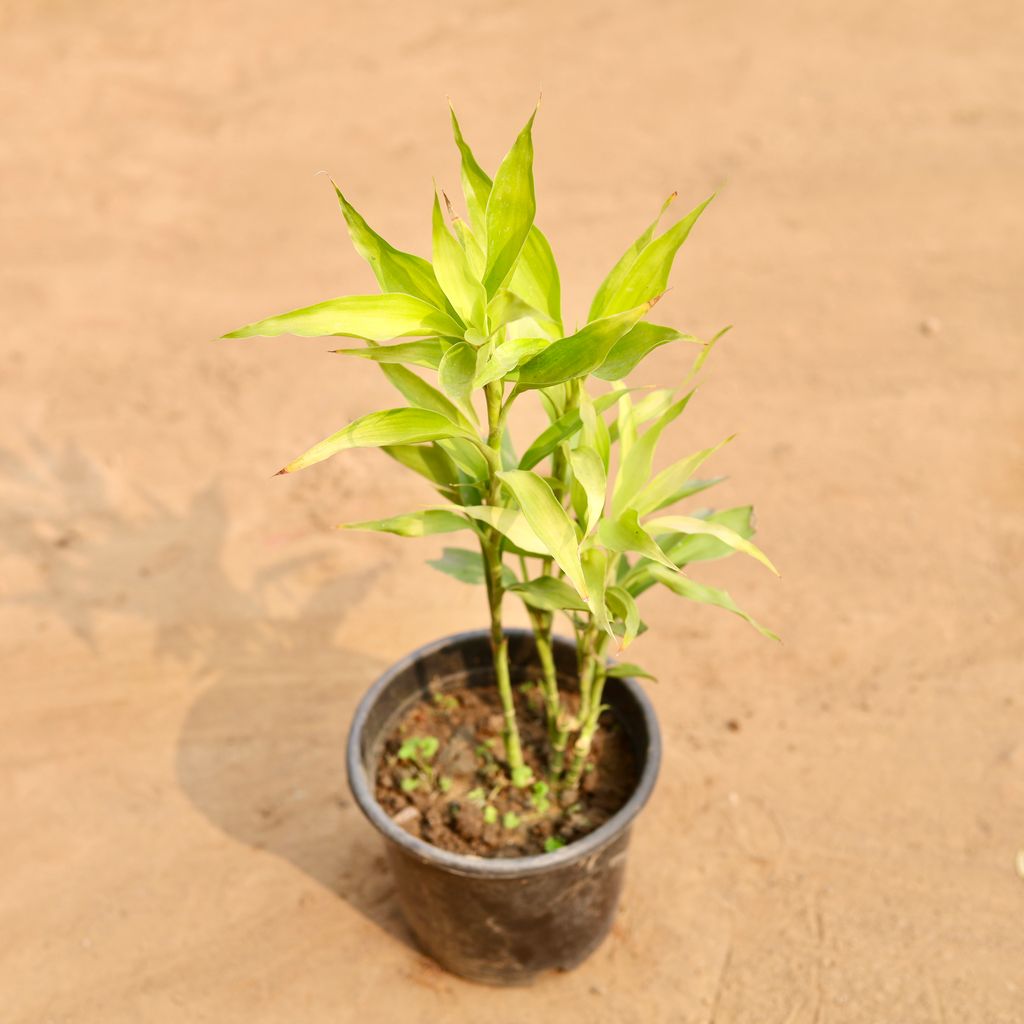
(261, 753)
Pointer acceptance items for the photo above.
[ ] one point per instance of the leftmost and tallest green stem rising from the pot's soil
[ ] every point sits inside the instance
(492, 549)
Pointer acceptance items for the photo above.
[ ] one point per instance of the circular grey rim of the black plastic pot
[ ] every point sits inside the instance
(462, 864)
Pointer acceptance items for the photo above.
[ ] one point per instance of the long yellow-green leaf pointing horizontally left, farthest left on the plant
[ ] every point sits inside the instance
(376, 318)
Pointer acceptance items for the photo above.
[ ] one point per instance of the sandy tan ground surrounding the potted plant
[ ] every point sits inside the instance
(184, 639)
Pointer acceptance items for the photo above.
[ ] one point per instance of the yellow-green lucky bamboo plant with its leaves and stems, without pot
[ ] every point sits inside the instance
(564, 528)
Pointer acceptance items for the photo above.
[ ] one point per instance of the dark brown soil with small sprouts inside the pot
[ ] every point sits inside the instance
(461, 800)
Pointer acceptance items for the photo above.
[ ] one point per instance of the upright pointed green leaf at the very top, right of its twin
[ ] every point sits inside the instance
(510, 211)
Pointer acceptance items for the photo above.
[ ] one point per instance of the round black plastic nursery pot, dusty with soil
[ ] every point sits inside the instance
(501, 922)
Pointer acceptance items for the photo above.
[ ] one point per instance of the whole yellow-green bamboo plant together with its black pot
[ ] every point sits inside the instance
(505, 767)
